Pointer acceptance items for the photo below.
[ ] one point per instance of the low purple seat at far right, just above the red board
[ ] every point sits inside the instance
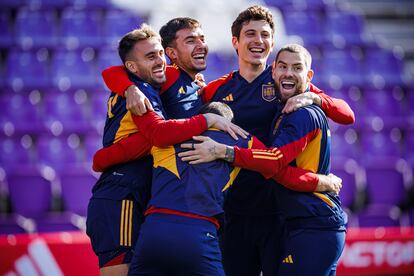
(379, 215)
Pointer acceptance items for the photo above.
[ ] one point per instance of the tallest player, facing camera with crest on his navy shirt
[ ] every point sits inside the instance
(251, 240)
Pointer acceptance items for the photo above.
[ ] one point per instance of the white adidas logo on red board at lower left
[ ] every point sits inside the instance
(38, 261)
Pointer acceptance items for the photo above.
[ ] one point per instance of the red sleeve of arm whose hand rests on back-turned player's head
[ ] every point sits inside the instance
(163, 133)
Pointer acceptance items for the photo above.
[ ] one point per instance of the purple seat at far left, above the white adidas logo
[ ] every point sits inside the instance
(30, 192)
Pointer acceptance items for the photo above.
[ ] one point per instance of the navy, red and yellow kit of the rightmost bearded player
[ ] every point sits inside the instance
(313, 220)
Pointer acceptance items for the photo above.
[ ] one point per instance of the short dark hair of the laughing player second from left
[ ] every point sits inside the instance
(169, 31)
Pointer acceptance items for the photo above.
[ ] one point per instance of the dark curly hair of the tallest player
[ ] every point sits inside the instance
(255, 13)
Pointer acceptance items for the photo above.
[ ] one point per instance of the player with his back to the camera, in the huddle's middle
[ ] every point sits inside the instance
(179, 235)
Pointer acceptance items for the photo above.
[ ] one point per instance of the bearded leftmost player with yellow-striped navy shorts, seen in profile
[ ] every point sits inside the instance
(120, 195)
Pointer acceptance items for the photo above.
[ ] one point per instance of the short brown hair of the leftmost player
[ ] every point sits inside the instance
(128, 41)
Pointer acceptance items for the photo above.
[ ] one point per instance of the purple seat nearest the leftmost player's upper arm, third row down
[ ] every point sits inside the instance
(69, 109)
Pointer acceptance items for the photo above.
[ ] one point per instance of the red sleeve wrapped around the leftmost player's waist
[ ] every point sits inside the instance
(131, 148)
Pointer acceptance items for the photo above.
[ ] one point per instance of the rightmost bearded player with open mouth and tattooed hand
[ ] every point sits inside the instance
(302, 138)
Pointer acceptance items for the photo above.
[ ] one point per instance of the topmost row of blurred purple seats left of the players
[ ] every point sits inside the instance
(75, 28)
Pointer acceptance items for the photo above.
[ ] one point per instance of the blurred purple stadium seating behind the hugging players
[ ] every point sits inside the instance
(52, 53)
